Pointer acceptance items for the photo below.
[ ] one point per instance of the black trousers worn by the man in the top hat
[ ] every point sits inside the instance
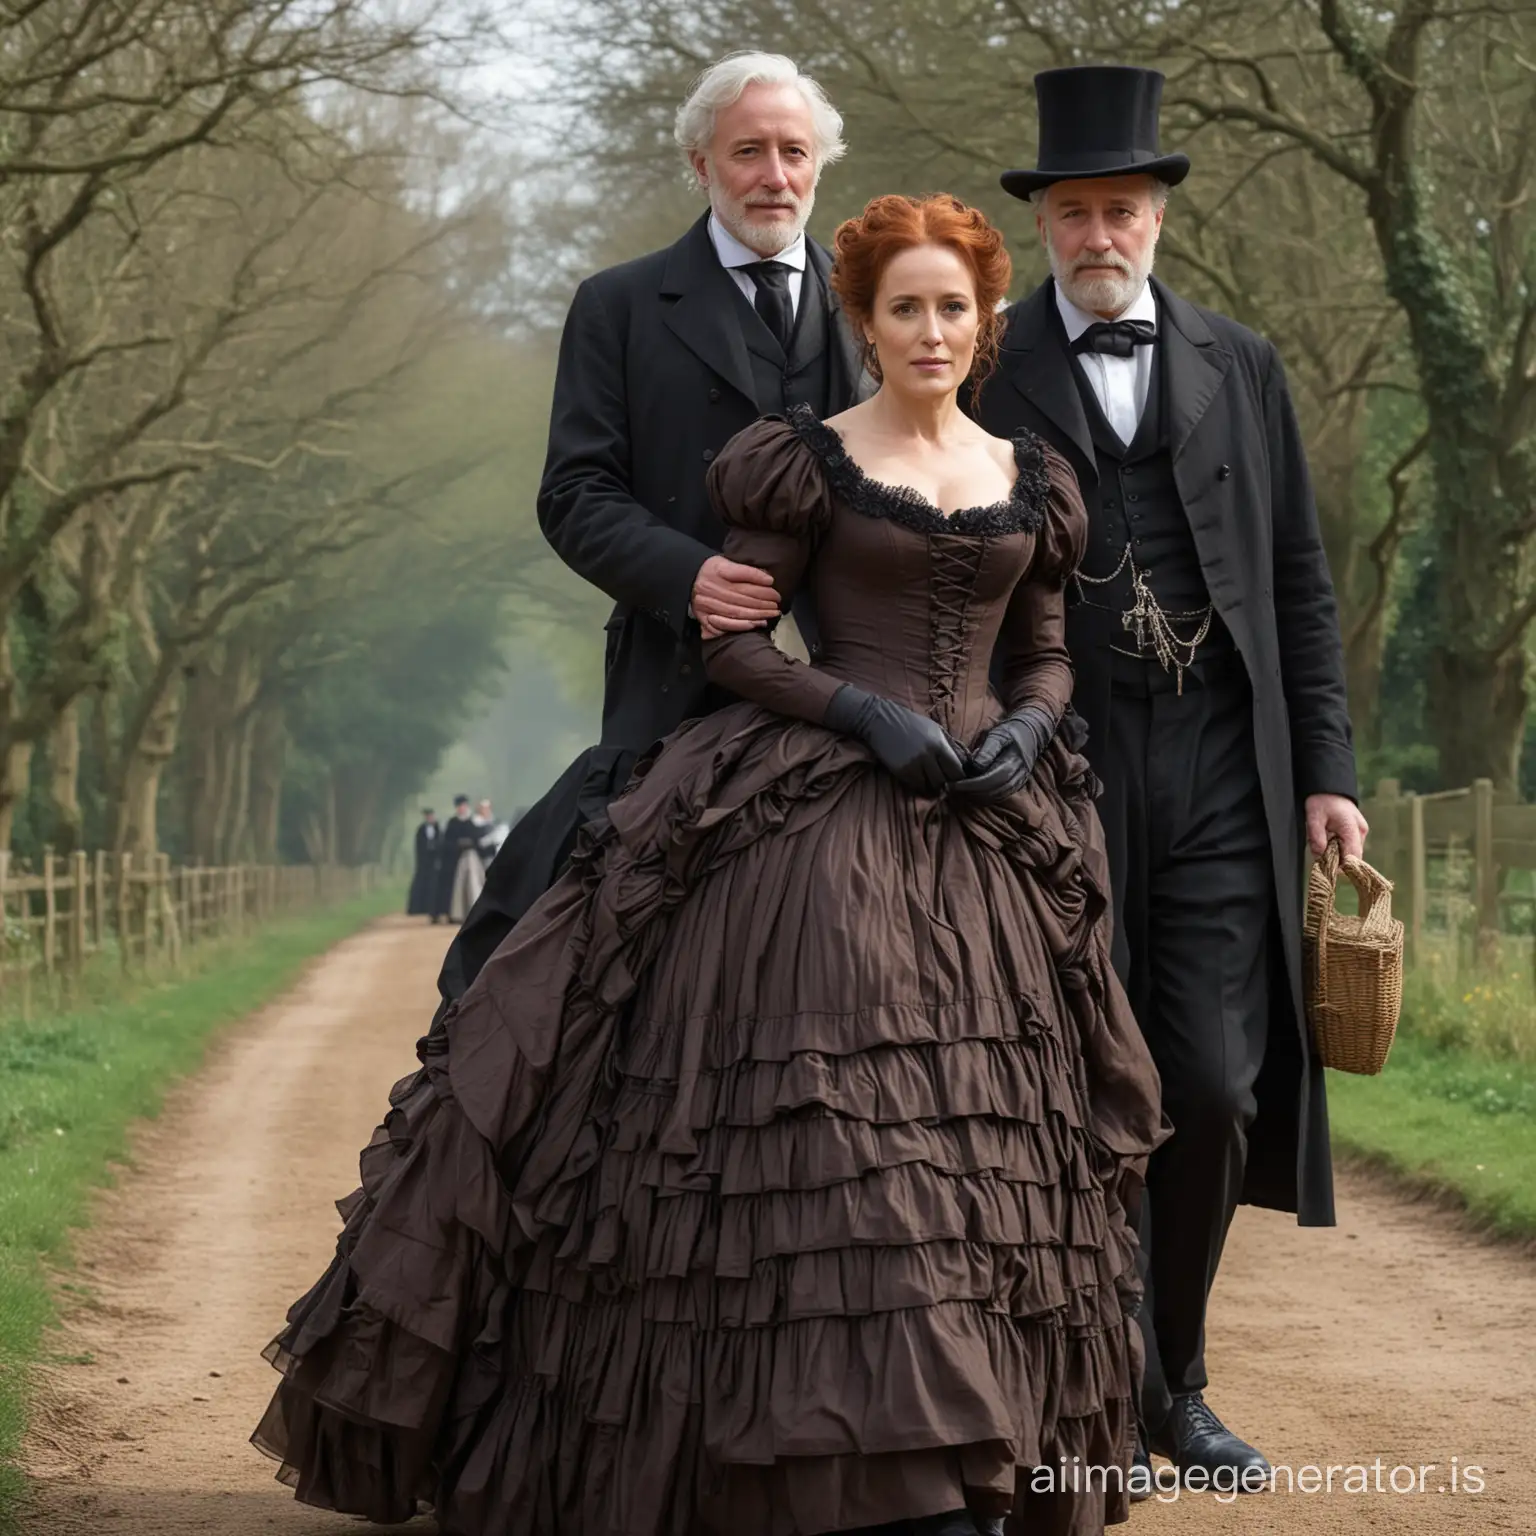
(1194, 886)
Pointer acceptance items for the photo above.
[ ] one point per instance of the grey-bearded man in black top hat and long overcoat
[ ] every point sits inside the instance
(1210, 670)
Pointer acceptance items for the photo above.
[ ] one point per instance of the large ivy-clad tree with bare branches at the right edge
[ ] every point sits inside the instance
(1425, 116)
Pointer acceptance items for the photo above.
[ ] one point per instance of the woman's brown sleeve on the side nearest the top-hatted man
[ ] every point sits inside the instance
(1034, 667)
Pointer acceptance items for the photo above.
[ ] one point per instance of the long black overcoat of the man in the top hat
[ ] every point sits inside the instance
(1242, 475)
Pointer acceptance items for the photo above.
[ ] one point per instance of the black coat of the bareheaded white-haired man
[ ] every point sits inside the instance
(654, 380)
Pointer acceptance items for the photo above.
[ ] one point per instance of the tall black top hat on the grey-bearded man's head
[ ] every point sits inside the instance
(1097, 121)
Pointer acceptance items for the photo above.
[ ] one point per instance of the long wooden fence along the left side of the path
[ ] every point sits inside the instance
(55, 919)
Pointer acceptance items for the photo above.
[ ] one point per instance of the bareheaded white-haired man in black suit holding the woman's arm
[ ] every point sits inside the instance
(663, 362)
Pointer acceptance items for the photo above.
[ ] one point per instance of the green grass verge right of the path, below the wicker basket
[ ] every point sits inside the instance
(1449, 1122)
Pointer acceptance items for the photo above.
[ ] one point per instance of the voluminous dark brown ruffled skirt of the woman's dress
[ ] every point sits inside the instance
(773, 1179)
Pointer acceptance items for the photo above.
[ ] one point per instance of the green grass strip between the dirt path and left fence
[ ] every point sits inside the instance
(73, 1084)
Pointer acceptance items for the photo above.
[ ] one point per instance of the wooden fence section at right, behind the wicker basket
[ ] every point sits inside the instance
(1423, 841)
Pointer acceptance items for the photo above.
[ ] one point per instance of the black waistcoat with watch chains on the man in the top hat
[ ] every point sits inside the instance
(1137, 503)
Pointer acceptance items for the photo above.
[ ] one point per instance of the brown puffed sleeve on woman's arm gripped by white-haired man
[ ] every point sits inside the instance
(770, 492)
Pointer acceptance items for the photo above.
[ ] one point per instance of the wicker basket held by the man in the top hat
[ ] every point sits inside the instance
(1354, 967)
